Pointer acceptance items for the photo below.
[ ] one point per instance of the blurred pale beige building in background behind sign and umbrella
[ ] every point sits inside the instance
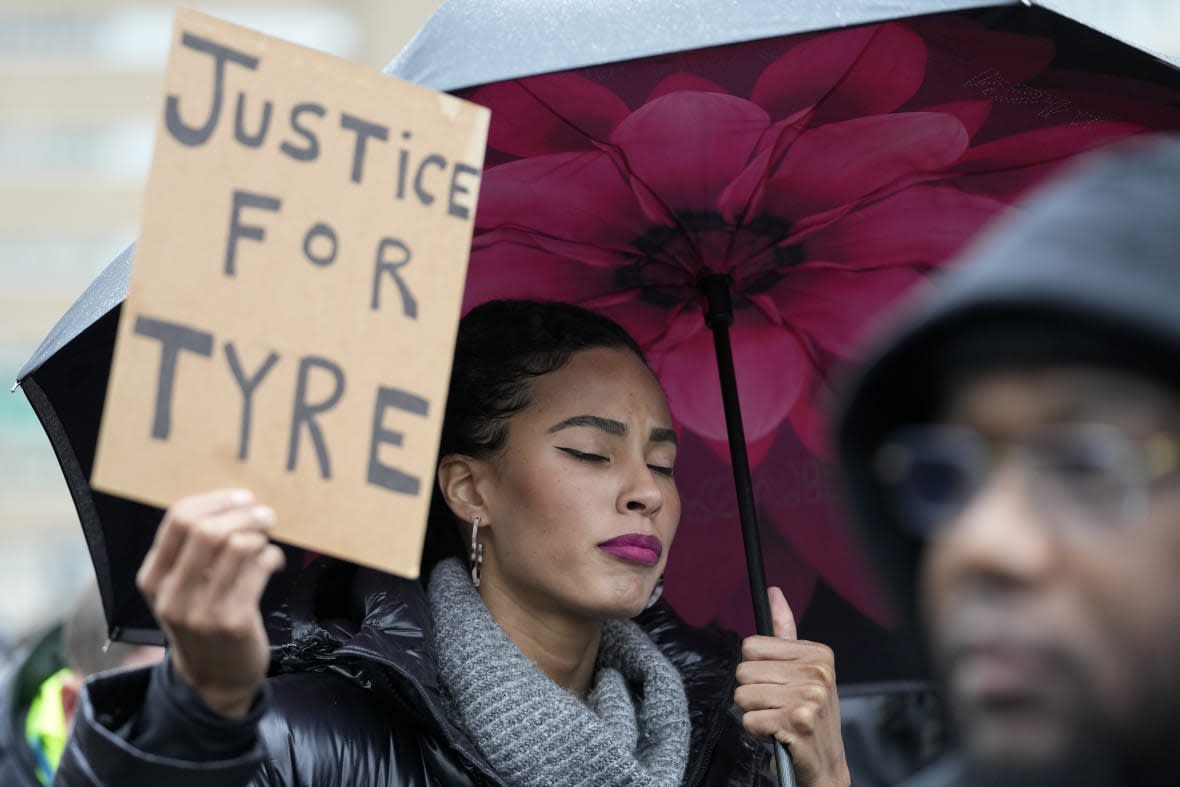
(80, 90)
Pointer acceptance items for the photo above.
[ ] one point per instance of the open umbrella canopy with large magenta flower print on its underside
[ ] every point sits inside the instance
(822, 170)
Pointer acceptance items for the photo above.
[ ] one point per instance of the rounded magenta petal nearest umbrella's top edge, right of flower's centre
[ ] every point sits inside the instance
(845, 75)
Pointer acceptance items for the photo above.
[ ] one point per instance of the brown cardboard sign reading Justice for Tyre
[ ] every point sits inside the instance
(296, 293)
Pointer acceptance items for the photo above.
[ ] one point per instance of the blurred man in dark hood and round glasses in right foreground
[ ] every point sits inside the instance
(1014, 457)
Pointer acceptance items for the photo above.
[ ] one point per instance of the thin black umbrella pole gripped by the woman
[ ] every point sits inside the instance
(719, 316)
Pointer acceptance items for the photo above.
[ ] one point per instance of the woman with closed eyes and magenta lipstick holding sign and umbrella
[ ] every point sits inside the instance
(517, 664)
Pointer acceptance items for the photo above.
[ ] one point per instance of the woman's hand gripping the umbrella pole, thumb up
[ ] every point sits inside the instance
(786, 688)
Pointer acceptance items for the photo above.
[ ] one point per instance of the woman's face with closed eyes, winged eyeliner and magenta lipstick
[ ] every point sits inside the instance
(581, 508)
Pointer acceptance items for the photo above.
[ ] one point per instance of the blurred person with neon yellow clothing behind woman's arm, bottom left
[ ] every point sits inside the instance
(40, 690)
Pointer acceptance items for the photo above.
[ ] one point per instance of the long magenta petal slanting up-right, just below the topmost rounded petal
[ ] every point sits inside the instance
(843, 162)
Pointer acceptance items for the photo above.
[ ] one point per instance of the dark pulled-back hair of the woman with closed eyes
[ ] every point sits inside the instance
(502, 347)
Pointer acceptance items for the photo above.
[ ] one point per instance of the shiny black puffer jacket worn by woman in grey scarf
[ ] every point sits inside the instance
(357, 703)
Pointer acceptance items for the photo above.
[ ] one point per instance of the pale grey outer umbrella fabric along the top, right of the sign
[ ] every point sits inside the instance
(467, 44)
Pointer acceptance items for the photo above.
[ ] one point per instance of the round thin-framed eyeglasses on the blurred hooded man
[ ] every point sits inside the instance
(1081, 477)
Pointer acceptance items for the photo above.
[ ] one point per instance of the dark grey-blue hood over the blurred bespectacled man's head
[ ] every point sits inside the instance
(1086, 272)
